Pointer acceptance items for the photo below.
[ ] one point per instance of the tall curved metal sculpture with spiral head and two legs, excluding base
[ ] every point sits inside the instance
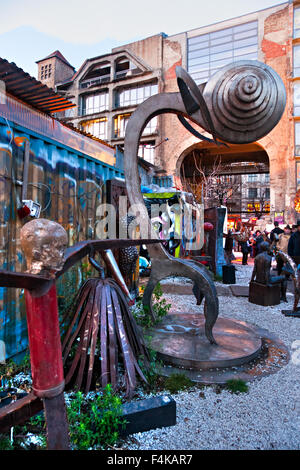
(241, 103)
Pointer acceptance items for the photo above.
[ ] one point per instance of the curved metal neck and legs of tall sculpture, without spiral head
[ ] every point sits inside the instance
(163, 264)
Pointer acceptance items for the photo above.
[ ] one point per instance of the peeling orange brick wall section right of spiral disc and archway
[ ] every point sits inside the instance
(276, 47)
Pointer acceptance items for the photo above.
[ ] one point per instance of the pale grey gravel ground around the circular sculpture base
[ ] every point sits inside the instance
(266, 417)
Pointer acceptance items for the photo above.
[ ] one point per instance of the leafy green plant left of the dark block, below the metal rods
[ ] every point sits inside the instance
(95, 422)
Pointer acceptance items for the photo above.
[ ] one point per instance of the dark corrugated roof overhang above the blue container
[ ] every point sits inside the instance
(26, 88)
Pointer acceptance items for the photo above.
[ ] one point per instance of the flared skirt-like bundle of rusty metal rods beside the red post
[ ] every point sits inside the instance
(102, 321)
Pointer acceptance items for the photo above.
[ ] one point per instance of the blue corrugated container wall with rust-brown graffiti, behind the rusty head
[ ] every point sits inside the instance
(67, 183)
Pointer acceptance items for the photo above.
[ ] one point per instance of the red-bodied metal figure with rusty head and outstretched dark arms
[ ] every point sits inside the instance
(43, 242)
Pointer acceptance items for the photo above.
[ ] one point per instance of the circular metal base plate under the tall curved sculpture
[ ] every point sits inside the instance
(180, 341)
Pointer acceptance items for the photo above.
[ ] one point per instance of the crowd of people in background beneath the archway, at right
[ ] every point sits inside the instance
(286, 240)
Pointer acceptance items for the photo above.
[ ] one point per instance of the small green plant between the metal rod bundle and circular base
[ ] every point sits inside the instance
(160, 309)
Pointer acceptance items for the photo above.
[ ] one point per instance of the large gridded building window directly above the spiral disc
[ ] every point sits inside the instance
(209, 52)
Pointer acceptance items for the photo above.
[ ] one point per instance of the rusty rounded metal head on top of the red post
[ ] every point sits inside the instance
(43, 243)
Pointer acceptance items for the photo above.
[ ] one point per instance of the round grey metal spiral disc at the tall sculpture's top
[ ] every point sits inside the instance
(245, 100)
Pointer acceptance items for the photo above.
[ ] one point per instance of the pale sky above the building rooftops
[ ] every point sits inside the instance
(30, 30)
